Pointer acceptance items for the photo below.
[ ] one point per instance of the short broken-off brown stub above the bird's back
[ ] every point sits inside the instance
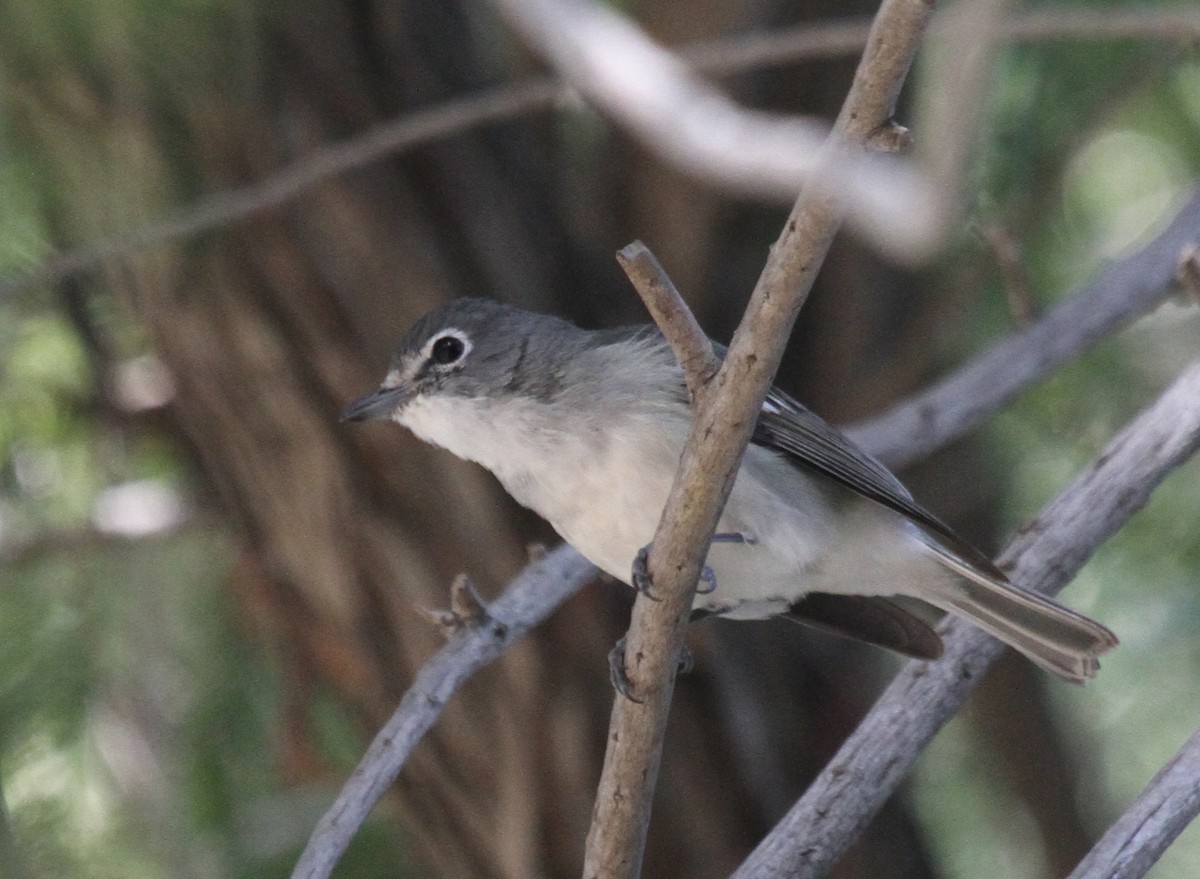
(693, 349)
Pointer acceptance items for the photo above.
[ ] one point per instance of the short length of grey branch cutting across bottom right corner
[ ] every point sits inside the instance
(1162, 811)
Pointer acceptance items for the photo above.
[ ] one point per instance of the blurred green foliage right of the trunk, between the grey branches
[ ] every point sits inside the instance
(1094, 147)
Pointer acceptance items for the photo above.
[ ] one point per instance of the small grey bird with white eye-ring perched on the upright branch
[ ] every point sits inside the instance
(586, 428)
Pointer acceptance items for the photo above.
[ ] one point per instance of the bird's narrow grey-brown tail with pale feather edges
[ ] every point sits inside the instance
(1054, 637)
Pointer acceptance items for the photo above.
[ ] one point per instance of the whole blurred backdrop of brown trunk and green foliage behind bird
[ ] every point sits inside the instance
(211, 594)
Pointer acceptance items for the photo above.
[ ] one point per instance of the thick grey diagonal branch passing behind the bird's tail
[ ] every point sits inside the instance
(1045, 557)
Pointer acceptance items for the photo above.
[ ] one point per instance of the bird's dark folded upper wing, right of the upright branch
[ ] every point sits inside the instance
(807, 440)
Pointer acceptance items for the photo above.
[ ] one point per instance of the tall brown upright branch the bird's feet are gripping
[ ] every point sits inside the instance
(722, 427)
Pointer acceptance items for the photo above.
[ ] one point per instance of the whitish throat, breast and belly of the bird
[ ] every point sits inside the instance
(604, 487)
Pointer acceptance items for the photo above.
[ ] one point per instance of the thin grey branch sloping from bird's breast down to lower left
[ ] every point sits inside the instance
(530, 600)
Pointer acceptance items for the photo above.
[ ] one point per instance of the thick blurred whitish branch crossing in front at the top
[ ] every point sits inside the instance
(686, 122)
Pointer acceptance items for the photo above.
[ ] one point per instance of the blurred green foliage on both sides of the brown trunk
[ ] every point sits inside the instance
(140, 729)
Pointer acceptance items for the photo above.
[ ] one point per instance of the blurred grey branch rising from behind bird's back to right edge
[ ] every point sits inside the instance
(1129, 289)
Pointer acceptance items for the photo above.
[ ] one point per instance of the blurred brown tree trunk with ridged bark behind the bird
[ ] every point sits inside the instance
(271, 327)
